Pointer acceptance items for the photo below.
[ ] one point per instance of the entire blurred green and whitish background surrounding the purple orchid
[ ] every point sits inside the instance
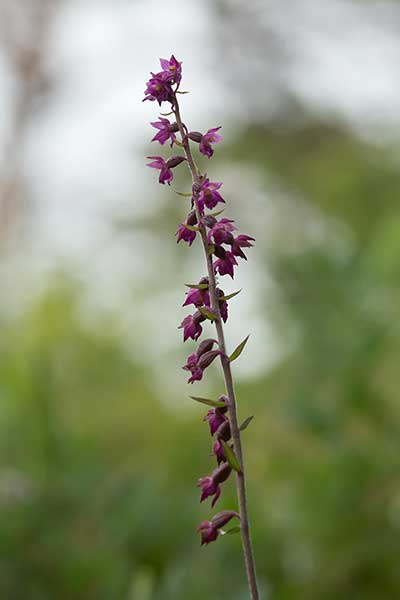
(100, 446)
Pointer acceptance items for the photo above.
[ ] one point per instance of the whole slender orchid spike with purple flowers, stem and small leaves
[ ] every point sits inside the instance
(222, 248)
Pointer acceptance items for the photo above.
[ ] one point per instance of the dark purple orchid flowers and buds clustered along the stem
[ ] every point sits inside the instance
(223, 246)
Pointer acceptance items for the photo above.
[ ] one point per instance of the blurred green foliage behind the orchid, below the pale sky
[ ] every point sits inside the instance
(98, 467)
